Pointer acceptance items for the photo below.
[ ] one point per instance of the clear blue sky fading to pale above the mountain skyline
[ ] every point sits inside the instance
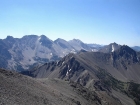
(92, 21)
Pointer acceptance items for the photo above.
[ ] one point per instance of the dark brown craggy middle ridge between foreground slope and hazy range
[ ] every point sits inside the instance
(112, 72)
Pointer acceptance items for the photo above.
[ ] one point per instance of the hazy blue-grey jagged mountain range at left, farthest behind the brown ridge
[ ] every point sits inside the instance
(22, 53)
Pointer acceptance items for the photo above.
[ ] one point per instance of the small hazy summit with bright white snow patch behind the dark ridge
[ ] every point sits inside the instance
(110, 48)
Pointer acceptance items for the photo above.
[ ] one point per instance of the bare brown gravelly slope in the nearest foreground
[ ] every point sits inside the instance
(17, 89)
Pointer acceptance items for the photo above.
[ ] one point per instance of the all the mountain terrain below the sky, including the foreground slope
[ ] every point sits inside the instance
(68, 72)
